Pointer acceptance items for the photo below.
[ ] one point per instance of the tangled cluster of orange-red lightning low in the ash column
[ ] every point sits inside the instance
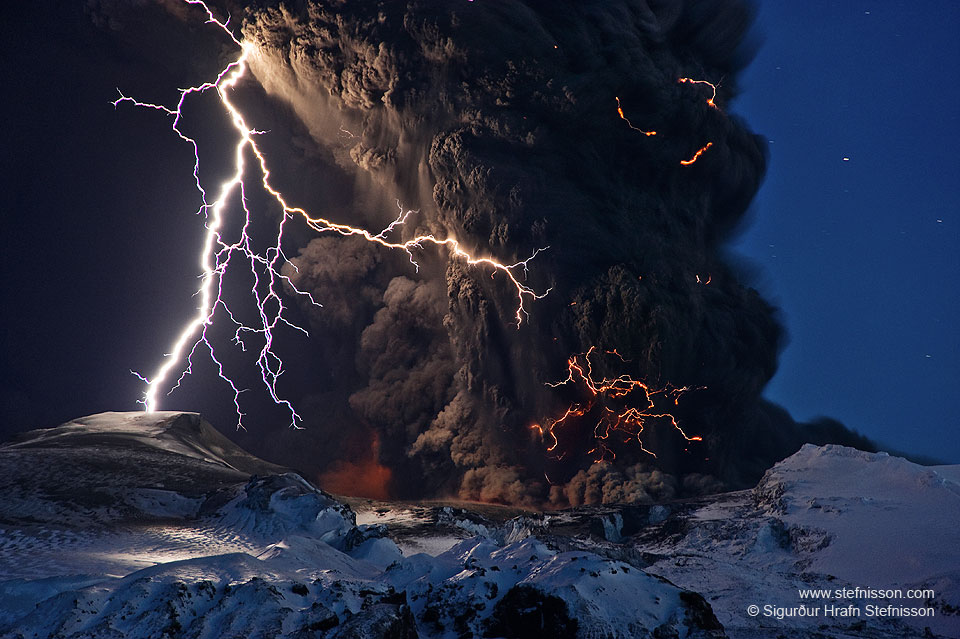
(633, 403)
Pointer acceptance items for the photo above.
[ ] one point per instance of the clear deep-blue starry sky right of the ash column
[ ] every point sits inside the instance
(862, 255)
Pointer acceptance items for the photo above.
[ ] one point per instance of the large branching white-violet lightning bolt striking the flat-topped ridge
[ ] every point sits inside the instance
(265, 266)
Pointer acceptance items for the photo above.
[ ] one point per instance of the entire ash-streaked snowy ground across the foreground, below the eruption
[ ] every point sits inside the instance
(149, 525)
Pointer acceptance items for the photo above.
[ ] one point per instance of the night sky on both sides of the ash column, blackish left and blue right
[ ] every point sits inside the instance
(854, 233)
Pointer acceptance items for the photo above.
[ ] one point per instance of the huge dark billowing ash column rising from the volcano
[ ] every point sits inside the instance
(514, 126)
